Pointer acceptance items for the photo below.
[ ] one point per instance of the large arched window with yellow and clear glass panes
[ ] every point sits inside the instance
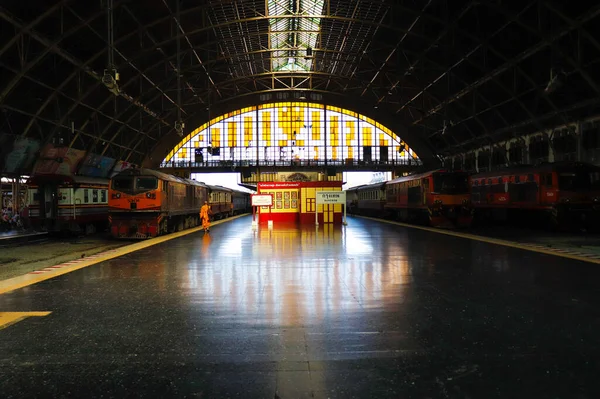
(290, 131)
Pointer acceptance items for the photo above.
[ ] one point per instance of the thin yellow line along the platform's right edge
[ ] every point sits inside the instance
(489, 240)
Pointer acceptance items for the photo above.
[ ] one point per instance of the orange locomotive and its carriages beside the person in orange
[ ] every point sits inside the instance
(145, 203)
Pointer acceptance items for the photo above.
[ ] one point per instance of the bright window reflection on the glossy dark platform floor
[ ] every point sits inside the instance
(297, 275)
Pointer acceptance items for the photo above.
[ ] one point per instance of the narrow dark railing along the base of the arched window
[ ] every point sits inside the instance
(288, 162)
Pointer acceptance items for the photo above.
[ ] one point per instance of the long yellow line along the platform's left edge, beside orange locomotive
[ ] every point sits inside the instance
(25, 280)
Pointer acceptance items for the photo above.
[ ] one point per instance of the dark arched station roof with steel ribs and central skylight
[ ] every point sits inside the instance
(447, 75)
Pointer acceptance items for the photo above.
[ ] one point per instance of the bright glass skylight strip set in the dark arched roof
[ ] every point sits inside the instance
(291, 35)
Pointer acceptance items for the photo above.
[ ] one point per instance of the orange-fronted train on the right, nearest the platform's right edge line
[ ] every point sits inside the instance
(437, 198)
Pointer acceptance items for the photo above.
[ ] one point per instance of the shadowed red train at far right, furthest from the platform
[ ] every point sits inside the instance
(562, 194)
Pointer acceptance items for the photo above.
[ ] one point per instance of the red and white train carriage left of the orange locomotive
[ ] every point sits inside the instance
(68, 203)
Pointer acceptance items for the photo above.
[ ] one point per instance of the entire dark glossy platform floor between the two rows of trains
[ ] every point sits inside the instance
(370, 310)
